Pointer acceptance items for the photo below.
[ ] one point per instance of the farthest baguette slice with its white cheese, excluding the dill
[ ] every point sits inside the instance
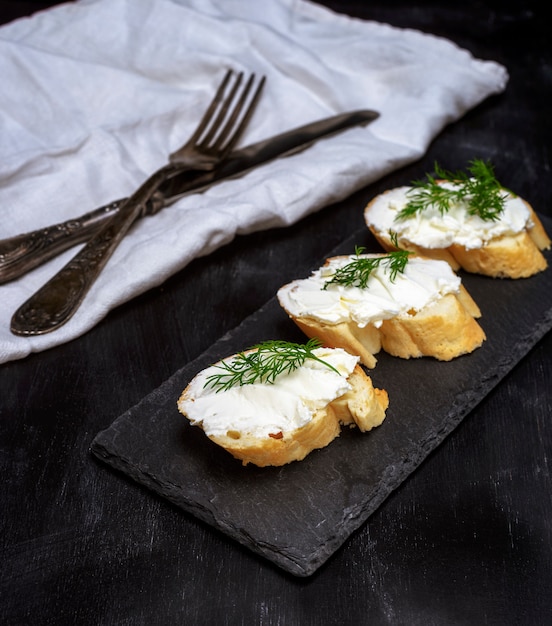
(510, 247)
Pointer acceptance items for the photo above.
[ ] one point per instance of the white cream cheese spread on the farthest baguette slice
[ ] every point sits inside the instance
(431, 229)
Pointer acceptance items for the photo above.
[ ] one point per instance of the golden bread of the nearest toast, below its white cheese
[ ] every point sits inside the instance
(362, 406)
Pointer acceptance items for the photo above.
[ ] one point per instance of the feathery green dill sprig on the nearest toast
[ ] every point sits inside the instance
(263, 363)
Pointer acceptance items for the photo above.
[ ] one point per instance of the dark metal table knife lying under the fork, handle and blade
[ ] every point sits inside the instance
(21, 253)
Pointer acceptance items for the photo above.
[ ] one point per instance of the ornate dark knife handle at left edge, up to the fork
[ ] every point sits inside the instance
(22, 253)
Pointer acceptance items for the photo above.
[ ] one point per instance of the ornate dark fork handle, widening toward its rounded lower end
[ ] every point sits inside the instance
(56, 302)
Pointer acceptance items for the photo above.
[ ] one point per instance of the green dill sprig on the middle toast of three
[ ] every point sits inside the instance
(358, 271)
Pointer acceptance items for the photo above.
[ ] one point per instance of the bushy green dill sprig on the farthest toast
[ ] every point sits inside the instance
(478, 188)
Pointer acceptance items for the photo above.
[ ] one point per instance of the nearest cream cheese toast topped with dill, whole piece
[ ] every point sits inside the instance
(278, 401)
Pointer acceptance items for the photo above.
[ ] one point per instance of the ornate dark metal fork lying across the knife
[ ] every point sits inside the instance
(218, 131)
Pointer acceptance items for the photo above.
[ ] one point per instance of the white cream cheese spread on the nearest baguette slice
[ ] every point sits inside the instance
(261, 409)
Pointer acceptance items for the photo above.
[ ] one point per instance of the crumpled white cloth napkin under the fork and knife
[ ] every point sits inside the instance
(96, 93)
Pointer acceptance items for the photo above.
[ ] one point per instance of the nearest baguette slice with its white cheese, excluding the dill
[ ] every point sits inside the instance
(276, 442)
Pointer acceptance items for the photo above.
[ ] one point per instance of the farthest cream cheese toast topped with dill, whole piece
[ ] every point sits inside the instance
(468, 220)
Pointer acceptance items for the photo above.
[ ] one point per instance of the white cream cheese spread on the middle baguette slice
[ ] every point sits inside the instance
(423, 281)
